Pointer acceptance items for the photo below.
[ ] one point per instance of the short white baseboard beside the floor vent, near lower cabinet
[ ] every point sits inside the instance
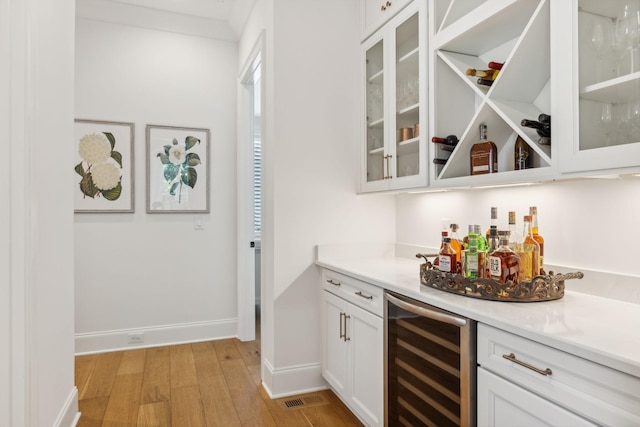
(283, 382)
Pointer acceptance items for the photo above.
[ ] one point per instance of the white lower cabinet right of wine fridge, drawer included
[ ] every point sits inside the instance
(525, 383)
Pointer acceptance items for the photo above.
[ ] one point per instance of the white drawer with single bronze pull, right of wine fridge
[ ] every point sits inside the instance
(596, 392)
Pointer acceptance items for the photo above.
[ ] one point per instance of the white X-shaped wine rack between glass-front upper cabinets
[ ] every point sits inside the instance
(471, 33)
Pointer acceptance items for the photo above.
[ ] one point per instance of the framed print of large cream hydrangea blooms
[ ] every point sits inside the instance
(104, 166)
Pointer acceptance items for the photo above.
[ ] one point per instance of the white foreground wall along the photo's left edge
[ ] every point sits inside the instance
(36, 244)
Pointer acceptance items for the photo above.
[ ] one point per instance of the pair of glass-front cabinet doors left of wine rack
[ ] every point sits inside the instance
(394, 64)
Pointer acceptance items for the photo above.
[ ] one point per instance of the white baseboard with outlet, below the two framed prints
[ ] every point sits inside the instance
(100, 342)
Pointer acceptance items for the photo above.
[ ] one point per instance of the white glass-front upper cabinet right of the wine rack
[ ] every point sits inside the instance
(598, 73)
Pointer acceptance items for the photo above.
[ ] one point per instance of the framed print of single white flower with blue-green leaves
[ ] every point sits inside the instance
(177, 169)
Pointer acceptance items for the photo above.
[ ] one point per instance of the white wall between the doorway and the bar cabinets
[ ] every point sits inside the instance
(311, 149)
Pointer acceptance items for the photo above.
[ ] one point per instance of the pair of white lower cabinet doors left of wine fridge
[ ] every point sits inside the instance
(352, 355)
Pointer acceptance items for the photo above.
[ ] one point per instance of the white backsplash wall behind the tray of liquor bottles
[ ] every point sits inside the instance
(590, 224)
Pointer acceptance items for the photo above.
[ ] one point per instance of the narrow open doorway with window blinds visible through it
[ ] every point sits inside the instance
(250, 197)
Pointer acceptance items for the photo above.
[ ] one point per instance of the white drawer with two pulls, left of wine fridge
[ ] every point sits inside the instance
(359, 293)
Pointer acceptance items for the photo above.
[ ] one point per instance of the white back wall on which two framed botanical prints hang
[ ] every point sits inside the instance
(155, 272)
